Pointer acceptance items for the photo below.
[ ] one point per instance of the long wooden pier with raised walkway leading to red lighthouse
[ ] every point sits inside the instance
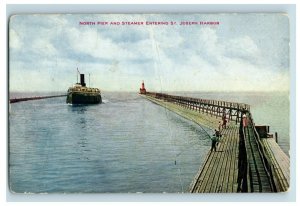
(244, 161)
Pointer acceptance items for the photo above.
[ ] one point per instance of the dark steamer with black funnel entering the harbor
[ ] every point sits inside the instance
(81, 94)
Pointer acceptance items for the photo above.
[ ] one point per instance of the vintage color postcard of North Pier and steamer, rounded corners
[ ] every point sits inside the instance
(149, 103)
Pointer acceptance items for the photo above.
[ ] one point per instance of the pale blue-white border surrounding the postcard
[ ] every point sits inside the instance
(134, 8)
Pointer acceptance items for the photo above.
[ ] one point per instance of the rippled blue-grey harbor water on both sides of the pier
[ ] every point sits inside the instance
(127, 144)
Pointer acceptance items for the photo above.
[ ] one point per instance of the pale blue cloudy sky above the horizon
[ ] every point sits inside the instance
(240, 52)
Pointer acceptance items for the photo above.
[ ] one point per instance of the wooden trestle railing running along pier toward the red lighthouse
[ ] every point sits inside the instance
(230, 110)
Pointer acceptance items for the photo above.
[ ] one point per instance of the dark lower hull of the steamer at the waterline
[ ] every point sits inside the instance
(83, 98)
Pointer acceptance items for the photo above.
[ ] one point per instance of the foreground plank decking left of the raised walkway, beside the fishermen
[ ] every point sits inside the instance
(220, 170)
